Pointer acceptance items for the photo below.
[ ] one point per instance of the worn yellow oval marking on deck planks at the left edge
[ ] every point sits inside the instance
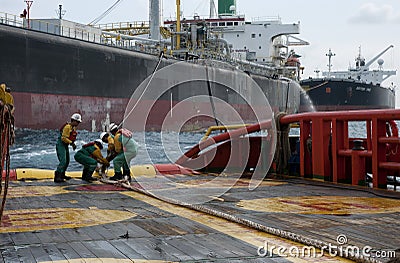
(28, 220)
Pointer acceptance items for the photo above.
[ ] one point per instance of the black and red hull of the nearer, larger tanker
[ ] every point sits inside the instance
(52, 76)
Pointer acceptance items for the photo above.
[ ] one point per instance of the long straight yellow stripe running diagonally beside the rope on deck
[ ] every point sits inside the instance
(246, 234)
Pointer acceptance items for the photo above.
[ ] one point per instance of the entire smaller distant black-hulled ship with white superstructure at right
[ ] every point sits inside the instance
(357, 88)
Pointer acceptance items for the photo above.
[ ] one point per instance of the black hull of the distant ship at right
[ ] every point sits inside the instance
(346, 94)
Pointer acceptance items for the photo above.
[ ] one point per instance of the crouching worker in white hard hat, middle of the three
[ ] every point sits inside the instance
(89, 156)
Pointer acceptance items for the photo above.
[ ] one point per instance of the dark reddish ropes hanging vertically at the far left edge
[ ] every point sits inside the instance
(6, 140)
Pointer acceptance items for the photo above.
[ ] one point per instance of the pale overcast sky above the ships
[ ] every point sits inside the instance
(343, 26)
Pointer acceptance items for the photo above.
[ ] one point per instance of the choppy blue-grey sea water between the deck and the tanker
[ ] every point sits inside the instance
(37, 148)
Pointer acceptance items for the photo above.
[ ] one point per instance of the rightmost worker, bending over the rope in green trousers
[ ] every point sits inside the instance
(126, 148)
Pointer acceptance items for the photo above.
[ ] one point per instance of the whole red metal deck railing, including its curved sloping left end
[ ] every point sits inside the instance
(327, 152)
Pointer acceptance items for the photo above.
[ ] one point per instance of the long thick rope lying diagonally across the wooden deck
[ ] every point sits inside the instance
(319, 244)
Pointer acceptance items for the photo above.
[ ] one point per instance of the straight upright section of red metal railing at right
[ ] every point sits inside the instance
(332, 157)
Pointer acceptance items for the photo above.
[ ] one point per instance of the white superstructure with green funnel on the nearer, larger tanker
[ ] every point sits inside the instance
(262, 43)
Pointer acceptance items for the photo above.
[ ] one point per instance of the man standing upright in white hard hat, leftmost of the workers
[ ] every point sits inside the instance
(67, 137)
